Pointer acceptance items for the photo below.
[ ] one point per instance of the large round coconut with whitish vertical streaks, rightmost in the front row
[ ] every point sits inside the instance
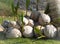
(50, 31)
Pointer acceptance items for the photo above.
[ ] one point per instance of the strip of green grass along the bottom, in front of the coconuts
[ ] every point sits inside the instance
(26, 40)
